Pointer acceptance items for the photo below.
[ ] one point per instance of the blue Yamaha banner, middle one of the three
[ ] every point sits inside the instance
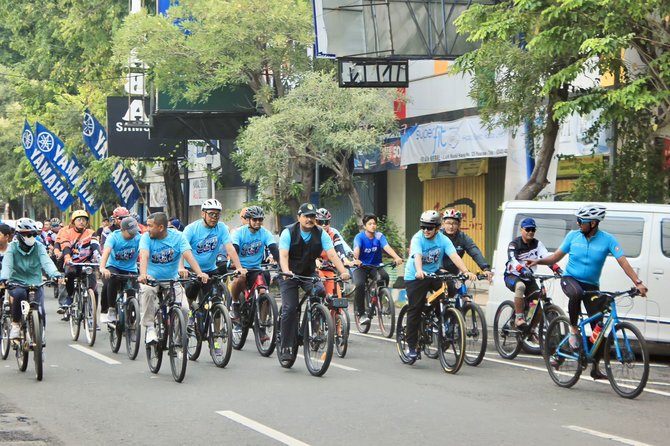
(53, 150)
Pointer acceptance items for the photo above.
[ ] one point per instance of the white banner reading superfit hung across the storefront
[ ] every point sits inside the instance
(447, 141)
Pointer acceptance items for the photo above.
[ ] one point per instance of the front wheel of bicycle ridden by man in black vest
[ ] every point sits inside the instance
(318, 340)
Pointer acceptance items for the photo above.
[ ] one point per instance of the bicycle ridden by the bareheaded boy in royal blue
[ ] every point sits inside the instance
(378, 301)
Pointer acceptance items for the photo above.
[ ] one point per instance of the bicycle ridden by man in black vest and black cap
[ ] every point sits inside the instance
(317, 336)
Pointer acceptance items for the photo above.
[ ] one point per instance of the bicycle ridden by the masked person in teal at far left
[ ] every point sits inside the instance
(32, 330)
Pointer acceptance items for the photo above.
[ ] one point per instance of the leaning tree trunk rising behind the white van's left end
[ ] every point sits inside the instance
(538, 179)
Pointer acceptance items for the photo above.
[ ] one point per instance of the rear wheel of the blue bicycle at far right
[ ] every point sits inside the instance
(563, 364)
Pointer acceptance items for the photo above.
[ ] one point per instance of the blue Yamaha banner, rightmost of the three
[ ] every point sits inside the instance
(122, 181)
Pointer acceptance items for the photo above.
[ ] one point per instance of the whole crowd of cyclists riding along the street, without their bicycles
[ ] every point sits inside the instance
(163, 250)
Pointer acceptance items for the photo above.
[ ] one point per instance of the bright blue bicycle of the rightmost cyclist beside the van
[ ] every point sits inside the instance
(619, 340)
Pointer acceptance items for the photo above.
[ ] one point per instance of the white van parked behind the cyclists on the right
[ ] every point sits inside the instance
(643, 230)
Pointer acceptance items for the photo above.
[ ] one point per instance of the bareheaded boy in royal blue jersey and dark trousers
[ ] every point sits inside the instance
(368, 246)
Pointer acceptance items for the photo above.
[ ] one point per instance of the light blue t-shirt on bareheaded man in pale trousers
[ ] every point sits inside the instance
(164, 254)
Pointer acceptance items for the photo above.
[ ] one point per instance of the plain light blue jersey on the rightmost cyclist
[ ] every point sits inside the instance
(587, 257)
